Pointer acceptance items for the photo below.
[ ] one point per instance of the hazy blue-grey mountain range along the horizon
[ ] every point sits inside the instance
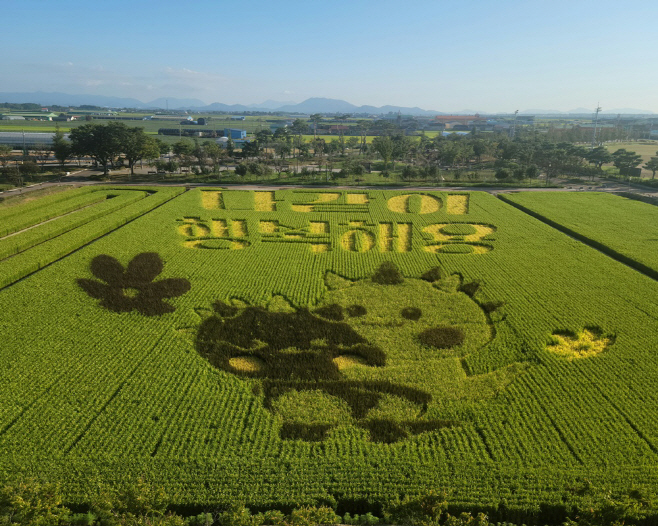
(312, 105)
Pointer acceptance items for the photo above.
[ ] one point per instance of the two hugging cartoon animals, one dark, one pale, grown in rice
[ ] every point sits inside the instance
(349, 357)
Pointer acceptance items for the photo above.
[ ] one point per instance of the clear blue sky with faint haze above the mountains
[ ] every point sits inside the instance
(445, 55)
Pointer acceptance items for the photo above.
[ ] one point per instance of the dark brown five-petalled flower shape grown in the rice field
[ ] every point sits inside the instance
(133, 288)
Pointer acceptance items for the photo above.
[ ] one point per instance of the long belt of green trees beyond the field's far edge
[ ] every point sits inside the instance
(525, 156)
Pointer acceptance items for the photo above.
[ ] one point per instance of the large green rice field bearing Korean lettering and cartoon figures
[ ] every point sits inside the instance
(344, 347)
